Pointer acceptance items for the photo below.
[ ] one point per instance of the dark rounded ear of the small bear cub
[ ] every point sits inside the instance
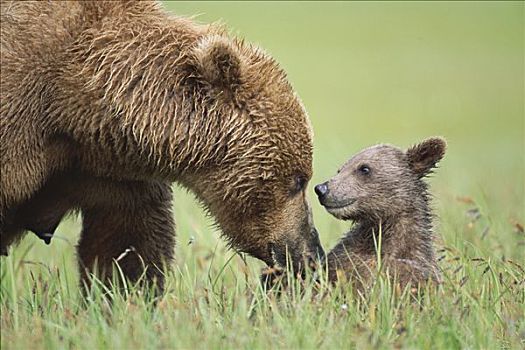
(424, 156)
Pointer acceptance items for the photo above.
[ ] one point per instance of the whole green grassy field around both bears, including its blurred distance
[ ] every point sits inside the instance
(367, 72)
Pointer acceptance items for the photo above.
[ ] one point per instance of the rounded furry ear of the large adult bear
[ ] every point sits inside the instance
(219, 62)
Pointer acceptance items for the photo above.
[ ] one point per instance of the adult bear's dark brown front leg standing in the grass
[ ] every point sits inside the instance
(130, 224)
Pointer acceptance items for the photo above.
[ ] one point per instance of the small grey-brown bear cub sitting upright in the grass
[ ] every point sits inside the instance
(382, 190)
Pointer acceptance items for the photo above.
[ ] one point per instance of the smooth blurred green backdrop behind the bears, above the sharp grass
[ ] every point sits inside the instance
(390, 72)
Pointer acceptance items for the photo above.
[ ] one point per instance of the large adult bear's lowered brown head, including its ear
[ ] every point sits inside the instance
(251, 156)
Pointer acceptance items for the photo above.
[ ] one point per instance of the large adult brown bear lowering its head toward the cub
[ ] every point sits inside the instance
(104, 104)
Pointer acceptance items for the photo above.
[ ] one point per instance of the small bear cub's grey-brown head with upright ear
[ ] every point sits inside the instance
(381, 182)
